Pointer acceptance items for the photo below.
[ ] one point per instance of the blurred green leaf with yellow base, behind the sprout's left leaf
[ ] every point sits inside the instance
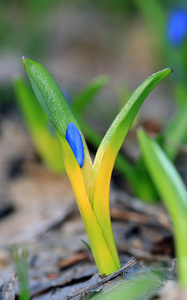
(38, 126)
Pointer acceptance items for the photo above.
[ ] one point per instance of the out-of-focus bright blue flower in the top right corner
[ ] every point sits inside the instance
(177, 27)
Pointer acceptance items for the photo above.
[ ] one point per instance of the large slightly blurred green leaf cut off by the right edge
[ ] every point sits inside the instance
(172, 192)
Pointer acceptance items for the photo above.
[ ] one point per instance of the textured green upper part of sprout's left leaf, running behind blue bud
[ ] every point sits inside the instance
(55, 105)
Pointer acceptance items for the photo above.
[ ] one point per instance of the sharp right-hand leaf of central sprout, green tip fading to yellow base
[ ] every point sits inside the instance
(108, 150)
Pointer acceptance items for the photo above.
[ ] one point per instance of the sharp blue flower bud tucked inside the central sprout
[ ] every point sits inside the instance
(75, 141)
